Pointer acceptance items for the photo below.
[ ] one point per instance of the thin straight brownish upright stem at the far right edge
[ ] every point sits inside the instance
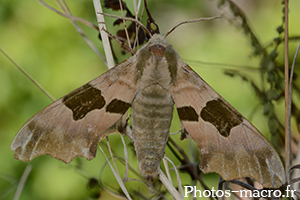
(286, 74)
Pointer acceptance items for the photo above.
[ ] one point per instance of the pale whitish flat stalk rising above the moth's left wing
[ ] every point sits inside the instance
(104, 36)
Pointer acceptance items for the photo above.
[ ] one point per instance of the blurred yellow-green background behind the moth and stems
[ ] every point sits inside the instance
(47, 46)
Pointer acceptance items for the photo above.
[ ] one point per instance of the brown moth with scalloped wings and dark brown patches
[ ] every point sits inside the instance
(151, 82)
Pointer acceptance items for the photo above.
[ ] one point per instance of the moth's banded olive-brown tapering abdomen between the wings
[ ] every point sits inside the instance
(152, 111)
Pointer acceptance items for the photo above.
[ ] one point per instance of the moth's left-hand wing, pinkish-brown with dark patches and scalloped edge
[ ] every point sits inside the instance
(73, 125)
